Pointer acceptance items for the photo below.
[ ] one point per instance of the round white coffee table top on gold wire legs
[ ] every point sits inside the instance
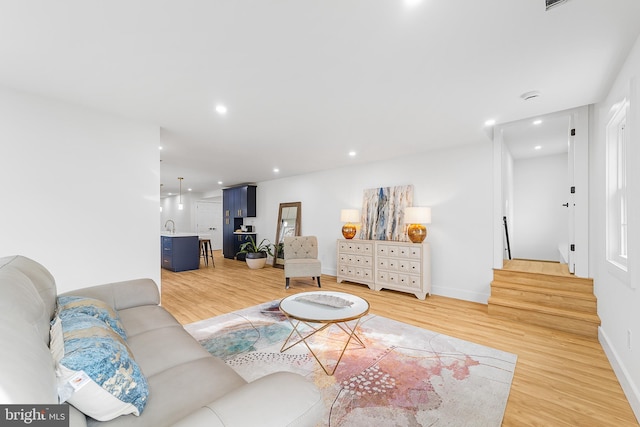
(315, 312)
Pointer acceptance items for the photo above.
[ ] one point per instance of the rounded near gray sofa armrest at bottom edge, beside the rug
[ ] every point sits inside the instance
(277, 400)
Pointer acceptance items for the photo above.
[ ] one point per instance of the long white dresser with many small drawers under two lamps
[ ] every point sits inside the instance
(383, 264)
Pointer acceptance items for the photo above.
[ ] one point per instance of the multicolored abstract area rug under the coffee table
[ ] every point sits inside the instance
(406, 376)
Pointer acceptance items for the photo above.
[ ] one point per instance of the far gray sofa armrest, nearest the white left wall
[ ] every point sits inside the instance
(121, 295)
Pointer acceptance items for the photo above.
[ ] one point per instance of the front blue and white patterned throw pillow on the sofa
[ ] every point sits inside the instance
(97, 373)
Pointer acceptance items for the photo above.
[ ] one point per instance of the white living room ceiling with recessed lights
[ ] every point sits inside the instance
(305, 81)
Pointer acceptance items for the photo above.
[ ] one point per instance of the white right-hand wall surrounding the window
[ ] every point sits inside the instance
(618, 300)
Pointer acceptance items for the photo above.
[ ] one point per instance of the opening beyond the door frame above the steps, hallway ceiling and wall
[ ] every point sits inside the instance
(539, 220)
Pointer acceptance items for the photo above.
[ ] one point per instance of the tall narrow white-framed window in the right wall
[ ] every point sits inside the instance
(617, 142)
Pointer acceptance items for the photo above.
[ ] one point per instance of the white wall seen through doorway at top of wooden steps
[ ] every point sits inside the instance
(540, 222)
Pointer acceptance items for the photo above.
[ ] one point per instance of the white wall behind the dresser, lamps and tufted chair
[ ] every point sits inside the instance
(456, 183)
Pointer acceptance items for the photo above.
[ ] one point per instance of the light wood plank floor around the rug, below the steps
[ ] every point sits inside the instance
(560, 379)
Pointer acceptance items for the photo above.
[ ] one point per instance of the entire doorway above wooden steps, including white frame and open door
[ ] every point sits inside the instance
(538, 163)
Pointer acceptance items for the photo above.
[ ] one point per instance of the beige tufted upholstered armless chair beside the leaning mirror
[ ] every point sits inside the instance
(301, 258)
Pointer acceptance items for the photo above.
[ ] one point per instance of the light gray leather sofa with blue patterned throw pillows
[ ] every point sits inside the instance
(184, 384)
